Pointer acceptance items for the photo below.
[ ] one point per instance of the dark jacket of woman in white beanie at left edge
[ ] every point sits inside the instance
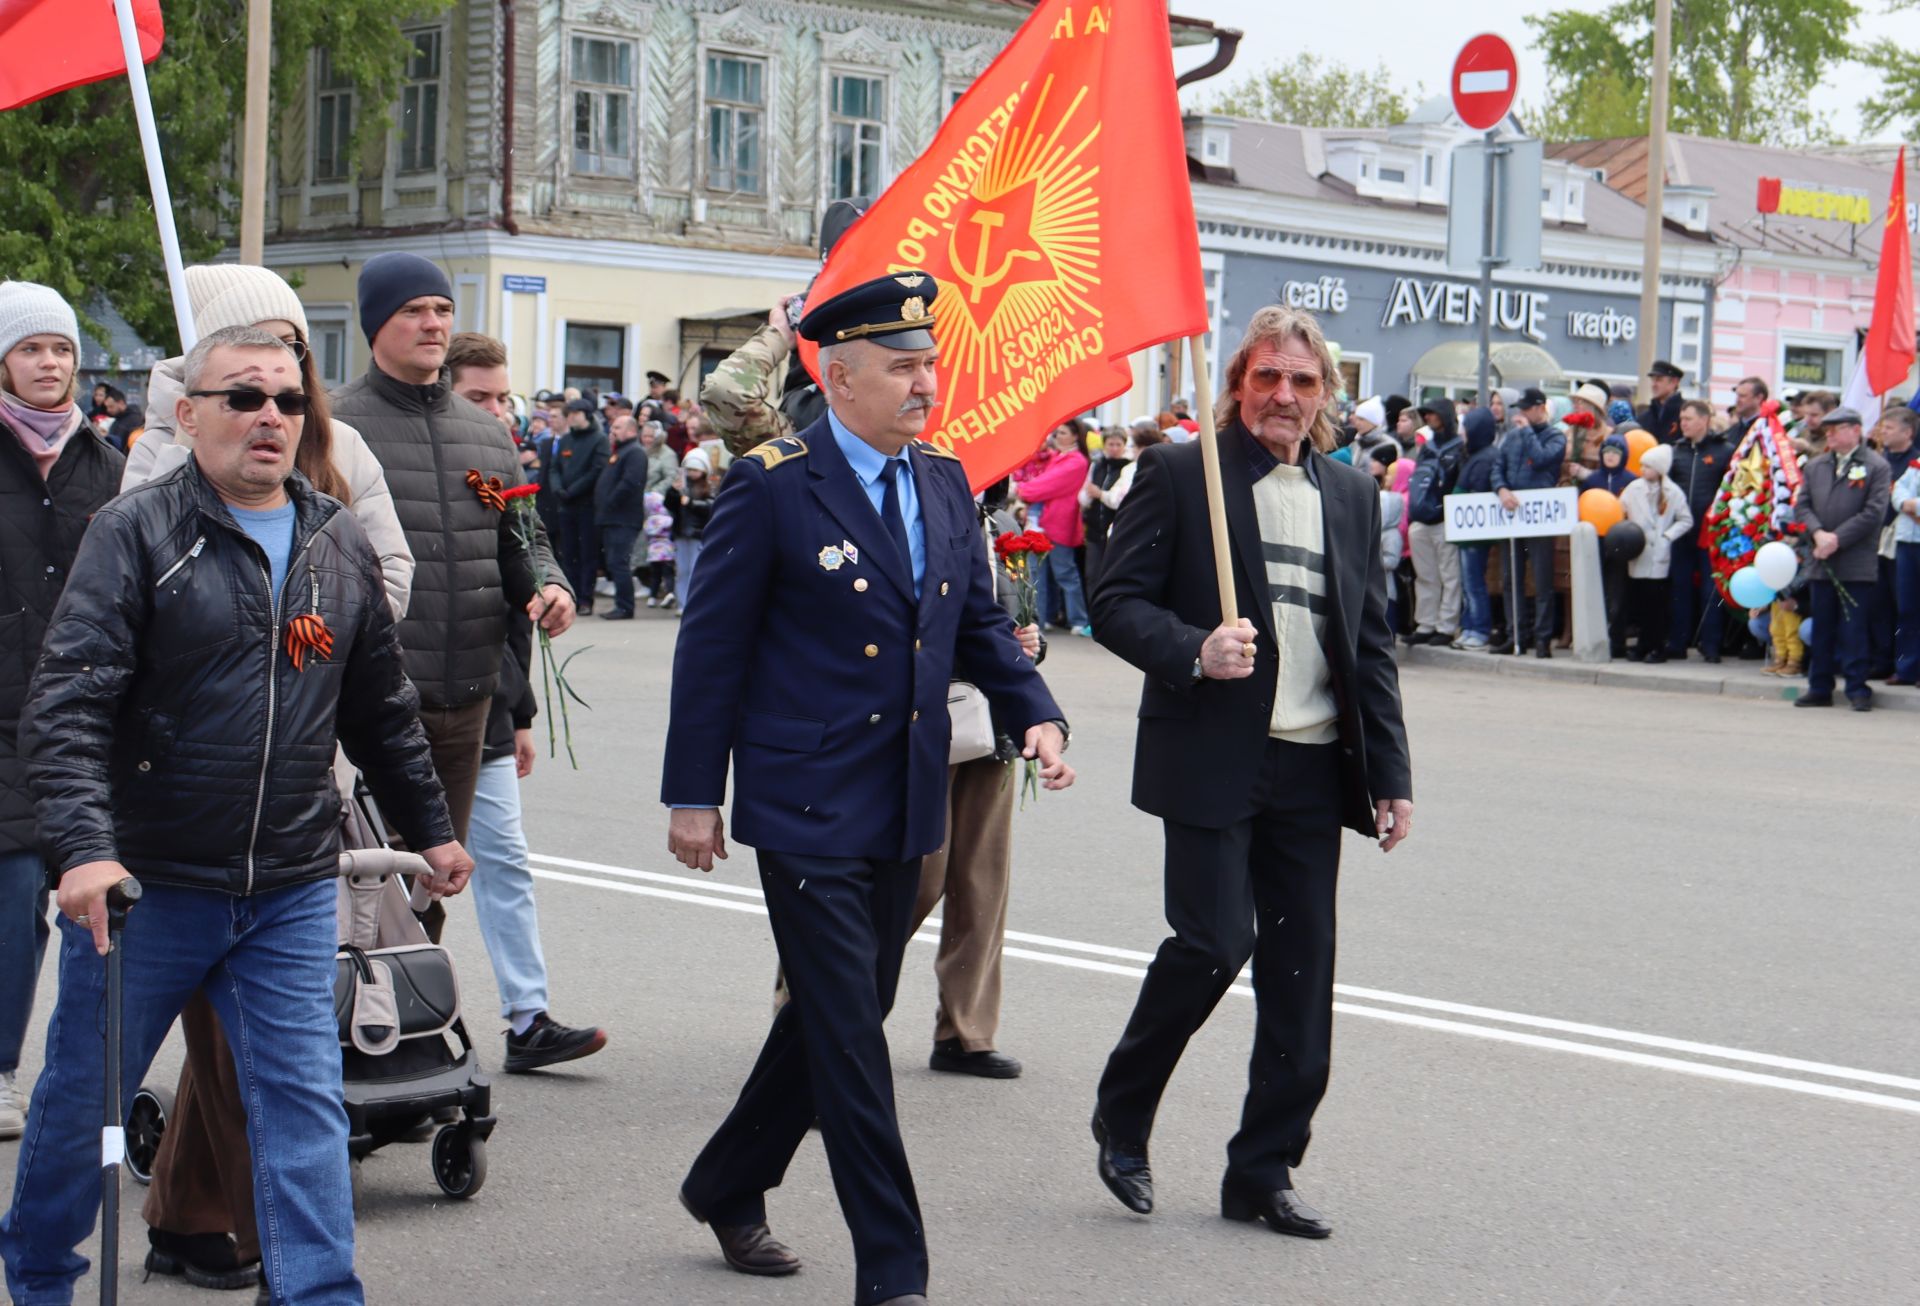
(41, 527)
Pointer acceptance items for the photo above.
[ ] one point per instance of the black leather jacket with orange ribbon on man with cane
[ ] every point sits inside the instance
(168, 727)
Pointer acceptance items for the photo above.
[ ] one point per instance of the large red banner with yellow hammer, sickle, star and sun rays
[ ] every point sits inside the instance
(1055, 210)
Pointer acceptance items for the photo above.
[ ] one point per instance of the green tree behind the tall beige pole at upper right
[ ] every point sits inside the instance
(1742, 70)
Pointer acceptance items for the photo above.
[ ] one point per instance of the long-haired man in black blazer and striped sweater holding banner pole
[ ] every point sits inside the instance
(1259, 742)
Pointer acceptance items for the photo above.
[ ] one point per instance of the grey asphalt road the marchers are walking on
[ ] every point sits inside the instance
(1631, 1019)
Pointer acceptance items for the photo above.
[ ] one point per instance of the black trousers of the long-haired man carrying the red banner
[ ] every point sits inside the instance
(1260, 888)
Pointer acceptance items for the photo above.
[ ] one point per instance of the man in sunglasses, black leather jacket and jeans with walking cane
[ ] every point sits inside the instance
(222, 629)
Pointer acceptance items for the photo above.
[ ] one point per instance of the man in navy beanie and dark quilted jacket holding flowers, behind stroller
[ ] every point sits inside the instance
(471, 562)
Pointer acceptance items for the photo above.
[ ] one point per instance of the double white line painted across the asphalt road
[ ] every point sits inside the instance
(708, 896)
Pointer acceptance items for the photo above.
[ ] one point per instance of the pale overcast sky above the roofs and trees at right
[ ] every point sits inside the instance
(1418, 41)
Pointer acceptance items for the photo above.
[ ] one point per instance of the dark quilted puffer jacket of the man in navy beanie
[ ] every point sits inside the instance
(469, 558)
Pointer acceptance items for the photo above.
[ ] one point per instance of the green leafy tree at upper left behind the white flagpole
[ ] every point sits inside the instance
(76, 212)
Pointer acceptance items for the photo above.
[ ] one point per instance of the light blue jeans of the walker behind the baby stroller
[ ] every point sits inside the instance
(504, 892)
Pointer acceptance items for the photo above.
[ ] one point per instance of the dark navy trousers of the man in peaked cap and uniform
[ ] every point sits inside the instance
(842, 927)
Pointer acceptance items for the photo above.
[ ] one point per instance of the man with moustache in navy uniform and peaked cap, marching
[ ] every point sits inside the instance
(842, 589)
